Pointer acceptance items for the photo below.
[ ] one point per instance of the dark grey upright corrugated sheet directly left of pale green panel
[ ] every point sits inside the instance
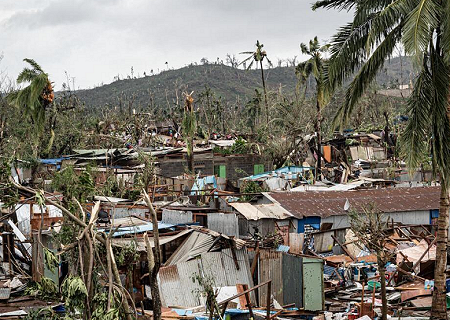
(292, 280)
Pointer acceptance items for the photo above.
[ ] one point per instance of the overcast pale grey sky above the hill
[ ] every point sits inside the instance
(95, 40)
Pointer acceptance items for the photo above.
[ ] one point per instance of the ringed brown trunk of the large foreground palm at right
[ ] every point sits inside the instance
(439, 305)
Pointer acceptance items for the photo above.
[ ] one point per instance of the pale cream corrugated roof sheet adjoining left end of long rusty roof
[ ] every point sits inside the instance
(261, 211)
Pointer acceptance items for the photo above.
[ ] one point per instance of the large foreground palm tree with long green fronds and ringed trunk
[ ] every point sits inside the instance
(362, 46)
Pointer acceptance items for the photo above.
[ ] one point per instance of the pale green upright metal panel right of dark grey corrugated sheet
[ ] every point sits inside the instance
(313, 284)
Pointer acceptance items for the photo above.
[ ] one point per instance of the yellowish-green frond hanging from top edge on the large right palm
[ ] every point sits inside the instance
(418, 27)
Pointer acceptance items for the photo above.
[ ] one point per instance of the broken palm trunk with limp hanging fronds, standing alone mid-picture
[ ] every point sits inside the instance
(189, 127)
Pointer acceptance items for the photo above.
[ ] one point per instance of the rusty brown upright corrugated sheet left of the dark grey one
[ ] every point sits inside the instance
(270, 268)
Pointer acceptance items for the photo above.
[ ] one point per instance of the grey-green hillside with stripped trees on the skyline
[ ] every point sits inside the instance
(227, 82)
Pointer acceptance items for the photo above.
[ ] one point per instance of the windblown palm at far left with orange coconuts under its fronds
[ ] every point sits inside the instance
(34, 98)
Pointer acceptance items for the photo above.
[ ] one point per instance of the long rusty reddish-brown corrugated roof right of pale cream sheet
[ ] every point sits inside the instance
(388, 200)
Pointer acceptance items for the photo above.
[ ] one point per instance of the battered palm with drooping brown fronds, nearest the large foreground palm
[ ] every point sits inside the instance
(315, 66)
